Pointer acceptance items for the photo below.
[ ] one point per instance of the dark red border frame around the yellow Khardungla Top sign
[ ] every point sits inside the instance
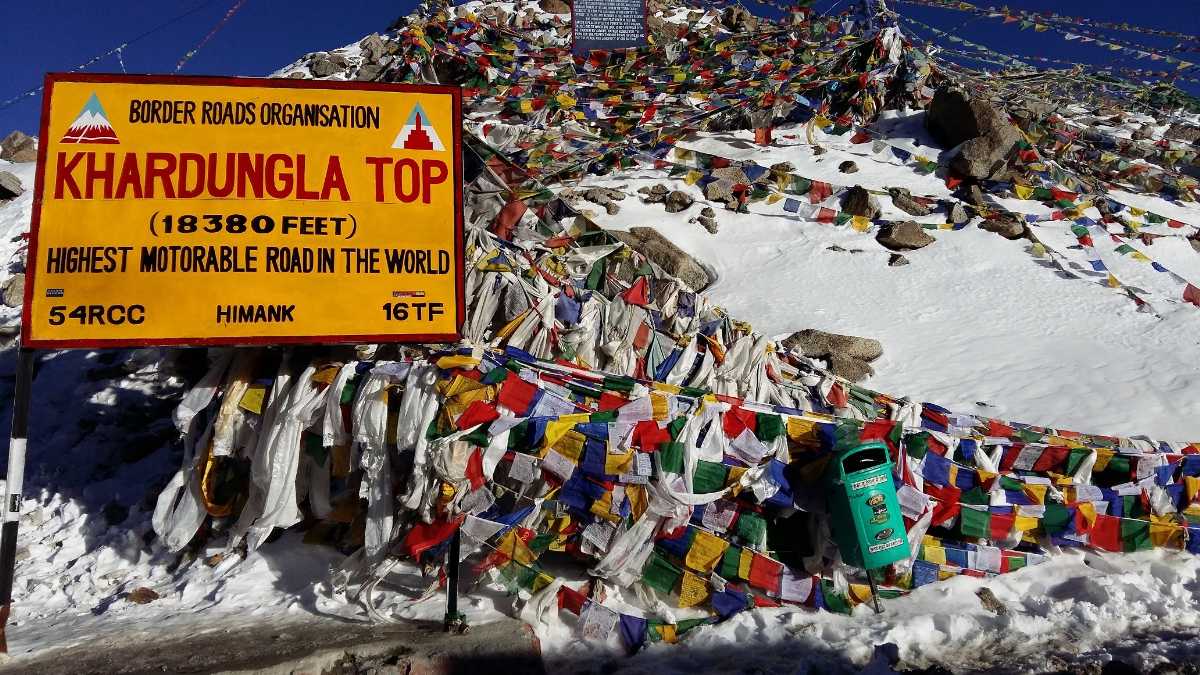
(274, 83)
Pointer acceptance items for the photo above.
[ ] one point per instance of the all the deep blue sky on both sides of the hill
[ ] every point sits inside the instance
(57, 35)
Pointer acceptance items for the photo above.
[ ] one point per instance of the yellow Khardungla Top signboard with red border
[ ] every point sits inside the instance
(230, 211)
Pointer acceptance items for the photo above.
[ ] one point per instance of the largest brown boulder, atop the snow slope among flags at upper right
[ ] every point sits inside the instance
(986, 134)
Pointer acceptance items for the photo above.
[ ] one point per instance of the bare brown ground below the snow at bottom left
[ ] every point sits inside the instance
(317, 647)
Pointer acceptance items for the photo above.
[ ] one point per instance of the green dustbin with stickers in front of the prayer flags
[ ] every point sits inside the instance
(867, 524)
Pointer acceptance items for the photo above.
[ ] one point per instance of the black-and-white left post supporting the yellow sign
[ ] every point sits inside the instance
(16, 477)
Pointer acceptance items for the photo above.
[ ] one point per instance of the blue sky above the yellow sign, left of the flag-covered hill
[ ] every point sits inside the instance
(38, 37)
